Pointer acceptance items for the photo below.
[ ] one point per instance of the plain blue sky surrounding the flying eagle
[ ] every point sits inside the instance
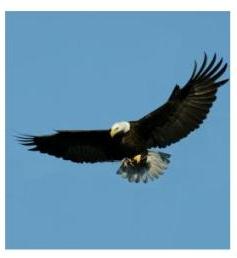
(87, 71)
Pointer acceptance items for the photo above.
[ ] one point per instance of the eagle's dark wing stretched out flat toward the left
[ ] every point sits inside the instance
(77, 146)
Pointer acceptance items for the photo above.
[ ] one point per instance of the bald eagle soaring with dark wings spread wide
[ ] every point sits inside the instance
(184, 111)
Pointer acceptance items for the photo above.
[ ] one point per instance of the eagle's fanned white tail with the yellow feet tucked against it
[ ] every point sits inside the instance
(144, 166)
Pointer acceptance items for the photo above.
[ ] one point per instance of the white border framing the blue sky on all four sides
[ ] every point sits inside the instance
(120, 5)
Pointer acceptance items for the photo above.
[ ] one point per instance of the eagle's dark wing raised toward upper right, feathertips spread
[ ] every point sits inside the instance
(186, 107)
